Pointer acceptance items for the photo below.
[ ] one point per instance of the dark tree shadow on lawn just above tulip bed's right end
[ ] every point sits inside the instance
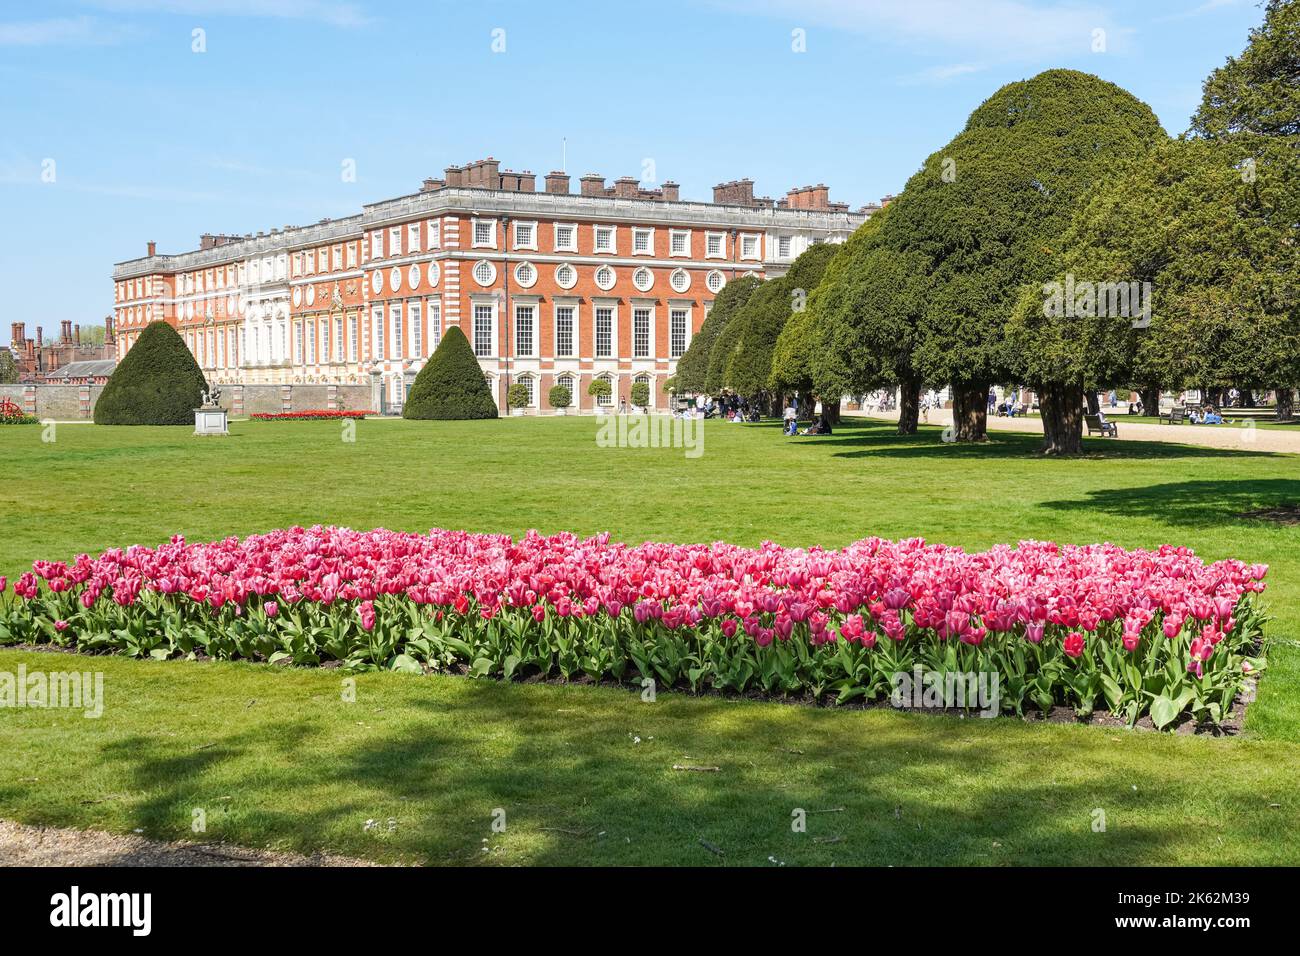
(1193, 504)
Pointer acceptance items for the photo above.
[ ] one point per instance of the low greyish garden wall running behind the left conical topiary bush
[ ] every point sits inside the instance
(77, 403)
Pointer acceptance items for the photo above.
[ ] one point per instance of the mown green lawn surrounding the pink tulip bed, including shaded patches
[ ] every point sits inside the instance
(276, 756)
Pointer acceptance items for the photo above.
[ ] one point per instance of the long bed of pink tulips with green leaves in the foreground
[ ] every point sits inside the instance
(1139, 633)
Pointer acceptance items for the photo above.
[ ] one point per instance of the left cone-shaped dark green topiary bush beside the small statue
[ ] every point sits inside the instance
(158, 383)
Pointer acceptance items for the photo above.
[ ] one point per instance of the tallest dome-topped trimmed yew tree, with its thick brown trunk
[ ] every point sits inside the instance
(987, 210)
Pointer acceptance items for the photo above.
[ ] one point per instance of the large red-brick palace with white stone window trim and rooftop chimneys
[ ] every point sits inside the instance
(549, 287)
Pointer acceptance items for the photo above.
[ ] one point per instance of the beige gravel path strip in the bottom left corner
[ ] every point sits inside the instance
(40, 846)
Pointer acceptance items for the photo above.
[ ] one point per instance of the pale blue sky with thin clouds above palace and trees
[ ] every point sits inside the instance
(145, 139)
